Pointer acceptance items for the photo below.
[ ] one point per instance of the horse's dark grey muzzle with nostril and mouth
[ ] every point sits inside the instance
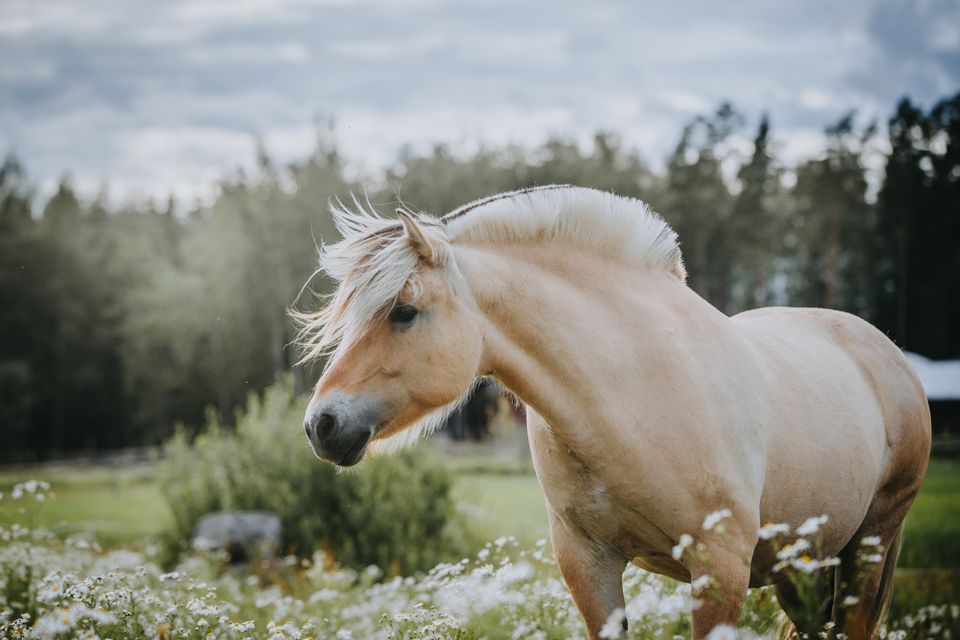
(339, 429)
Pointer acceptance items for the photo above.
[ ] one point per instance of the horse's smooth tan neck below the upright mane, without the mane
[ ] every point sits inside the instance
(567, 331)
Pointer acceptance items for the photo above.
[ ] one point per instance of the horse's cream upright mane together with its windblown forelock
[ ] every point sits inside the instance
(374, 261)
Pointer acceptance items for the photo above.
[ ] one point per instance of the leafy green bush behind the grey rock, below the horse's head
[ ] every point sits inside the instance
(394, 512)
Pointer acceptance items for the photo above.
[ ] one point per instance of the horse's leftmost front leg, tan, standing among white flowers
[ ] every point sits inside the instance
(593, 573)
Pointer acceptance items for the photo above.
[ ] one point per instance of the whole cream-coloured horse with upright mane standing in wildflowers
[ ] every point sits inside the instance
(647, 408)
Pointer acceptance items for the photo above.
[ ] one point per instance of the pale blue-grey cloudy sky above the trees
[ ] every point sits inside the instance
(152, 98)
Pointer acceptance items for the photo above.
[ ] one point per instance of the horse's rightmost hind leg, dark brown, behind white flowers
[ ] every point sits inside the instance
(865, 584)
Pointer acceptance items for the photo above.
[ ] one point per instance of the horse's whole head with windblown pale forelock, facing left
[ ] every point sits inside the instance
(402, 332)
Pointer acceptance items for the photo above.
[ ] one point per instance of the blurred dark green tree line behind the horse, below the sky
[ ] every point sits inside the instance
(117, 322)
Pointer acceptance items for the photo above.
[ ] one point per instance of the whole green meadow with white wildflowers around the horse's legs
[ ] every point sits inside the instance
(90, 537)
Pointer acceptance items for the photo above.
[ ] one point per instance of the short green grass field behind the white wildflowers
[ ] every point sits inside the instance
(124, 505)
